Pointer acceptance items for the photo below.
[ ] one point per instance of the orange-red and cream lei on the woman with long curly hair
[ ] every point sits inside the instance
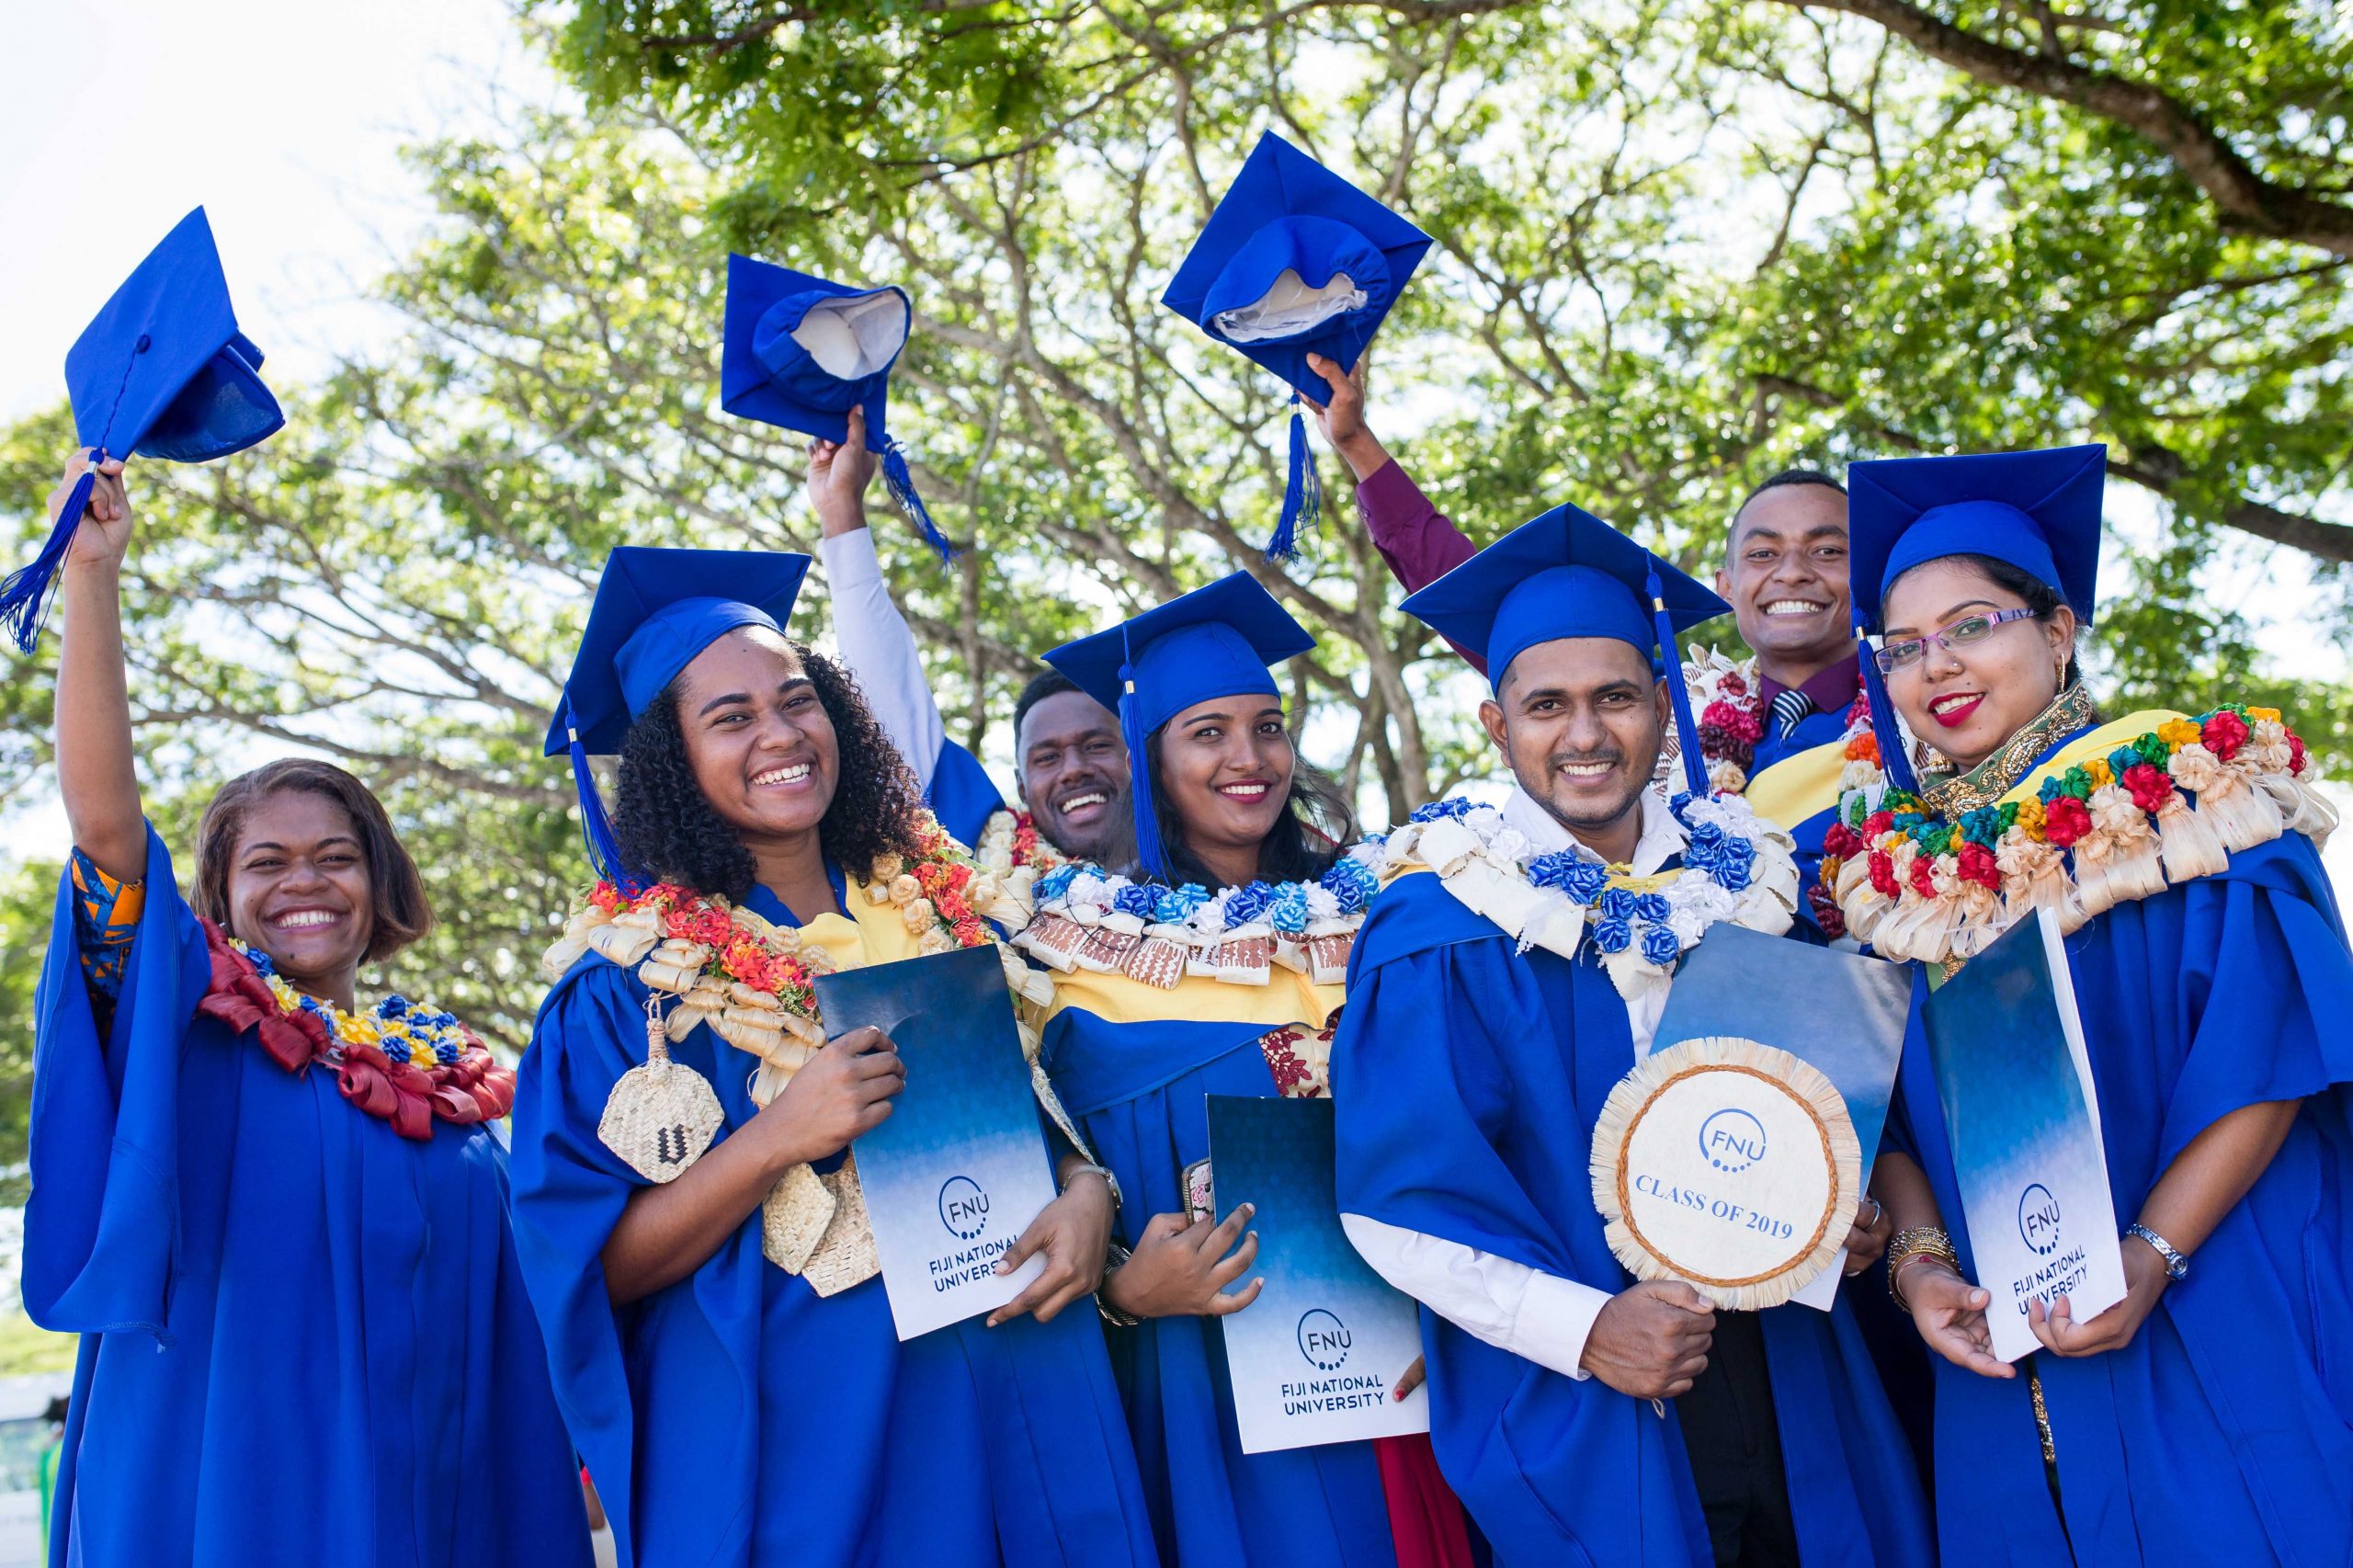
(752, 981)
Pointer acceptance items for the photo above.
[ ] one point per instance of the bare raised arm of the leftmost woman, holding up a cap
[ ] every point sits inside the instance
(93, 693)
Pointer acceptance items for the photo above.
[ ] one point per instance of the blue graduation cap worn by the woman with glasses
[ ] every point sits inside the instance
(2034, 510)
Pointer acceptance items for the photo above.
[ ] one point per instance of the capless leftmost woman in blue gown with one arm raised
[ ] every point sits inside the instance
(276, 1218)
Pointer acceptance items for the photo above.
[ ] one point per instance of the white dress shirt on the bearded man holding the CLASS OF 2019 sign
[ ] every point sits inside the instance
(1505, 1303)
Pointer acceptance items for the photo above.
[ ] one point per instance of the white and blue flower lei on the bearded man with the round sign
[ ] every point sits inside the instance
(1735, 868)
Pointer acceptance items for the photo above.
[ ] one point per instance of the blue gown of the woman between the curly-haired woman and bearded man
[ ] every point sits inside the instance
(1138, 1094)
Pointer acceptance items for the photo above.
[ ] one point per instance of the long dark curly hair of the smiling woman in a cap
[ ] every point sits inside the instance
(669, 830)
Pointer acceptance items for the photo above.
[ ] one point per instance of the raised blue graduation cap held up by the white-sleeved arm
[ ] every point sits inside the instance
(799, 352)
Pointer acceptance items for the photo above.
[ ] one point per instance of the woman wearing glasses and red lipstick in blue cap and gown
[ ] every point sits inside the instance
(2211, 1414)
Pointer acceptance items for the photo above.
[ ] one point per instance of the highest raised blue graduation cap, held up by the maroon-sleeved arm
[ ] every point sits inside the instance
(1295, 263)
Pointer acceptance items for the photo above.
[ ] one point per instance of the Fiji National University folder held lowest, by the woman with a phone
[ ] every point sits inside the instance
(1317, 1357)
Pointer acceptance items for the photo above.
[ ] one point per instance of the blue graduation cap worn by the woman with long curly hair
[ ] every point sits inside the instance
(651, 616)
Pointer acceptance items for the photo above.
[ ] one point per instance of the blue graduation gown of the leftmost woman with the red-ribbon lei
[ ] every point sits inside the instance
(305, 1338)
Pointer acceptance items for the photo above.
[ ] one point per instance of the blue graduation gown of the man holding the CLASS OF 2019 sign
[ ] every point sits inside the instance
(1467, 1082)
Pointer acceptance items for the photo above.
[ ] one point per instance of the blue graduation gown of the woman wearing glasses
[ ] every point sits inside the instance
(2225, 1433)
